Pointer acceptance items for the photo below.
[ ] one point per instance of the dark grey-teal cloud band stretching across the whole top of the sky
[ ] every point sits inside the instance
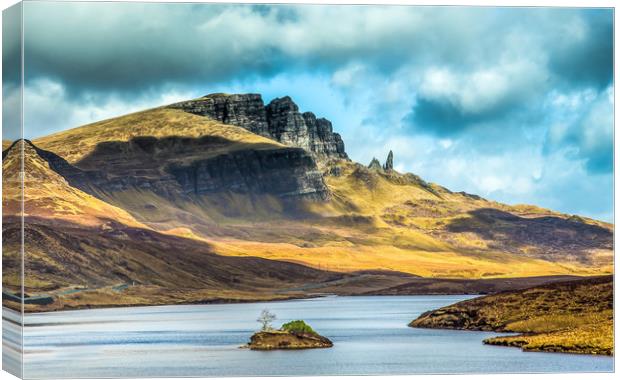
(136, 46)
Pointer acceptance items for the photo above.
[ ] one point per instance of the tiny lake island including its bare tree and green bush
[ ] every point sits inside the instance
(294, 335)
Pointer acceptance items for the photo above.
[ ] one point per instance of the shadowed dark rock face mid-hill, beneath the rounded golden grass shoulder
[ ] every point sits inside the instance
(176, 167)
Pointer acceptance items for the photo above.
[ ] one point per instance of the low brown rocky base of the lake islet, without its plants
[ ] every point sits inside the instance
(285, 340)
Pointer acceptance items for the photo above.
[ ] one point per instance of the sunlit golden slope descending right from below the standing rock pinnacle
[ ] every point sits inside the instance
(369, 224)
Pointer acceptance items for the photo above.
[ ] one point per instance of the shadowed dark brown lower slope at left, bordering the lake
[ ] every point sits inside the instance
(92, 267)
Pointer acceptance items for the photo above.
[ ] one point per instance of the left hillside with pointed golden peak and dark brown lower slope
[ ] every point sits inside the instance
(84, 252)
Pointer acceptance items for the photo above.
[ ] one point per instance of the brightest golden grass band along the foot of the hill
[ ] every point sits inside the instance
(347, 257)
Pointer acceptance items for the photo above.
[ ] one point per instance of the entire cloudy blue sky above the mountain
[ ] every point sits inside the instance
(513, 104)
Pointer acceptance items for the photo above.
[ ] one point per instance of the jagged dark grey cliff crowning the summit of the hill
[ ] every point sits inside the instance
(280, 120)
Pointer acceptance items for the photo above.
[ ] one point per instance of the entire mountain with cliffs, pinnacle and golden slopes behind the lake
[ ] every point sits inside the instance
(116, 195)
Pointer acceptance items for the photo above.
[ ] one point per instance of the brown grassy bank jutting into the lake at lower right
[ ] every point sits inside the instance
(574, 316)
